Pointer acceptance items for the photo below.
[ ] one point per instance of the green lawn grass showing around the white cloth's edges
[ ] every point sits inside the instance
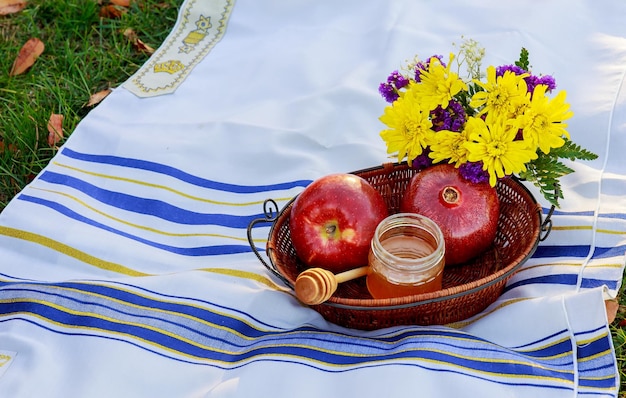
(85, 54)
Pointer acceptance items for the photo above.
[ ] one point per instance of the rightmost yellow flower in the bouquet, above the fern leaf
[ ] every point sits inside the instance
(542, 121)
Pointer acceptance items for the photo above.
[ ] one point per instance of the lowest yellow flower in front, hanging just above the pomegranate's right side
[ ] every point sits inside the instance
(494, 144)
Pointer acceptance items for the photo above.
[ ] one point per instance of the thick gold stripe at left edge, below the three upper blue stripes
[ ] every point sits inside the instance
(69, 251)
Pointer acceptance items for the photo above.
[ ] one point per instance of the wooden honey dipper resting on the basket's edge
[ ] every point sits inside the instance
(316, 285)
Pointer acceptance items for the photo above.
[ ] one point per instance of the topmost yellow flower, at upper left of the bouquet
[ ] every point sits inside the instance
(438, 84)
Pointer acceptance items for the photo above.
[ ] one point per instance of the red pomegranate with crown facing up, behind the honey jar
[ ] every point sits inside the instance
(466, 212)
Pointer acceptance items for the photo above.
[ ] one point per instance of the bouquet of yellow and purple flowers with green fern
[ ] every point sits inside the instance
(490, 127)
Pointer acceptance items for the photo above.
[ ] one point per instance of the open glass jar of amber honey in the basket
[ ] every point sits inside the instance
(406, 257)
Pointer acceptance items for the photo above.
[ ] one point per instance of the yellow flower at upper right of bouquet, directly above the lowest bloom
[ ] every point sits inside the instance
(503, 96)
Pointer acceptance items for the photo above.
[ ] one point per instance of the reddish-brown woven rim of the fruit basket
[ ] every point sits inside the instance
(433, 297)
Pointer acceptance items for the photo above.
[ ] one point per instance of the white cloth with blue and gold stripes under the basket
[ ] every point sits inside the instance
(124, 266)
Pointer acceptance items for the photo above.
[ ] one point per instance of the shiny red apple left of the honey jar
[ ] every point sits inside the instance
(333, 220)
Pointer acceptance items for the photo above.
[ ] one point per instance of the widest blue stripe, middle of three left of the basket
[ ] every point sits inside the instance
(146, 206)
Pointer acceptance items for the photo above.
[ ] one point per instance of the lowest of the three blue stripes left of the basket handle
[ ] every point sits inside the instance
(185, 251)
